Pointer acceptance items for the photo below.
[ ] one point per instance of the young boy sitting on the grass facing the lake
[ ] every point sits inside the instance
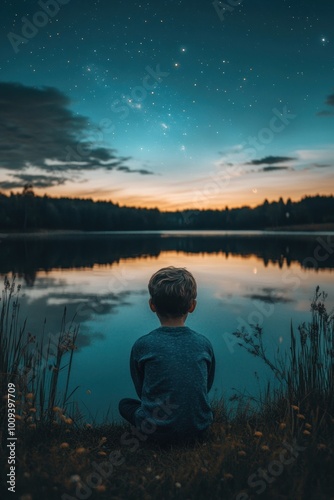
(172, 367)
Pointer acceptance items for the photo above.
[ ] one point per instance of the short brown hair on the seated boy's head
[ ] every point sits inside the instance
(172, 291)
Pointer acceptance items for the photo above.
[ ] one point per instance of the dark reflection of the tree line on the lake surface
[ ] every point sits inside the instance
(25, 256)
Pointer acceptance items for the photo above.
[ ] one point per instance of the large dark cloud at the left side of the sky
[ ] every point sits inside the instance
(38, 129)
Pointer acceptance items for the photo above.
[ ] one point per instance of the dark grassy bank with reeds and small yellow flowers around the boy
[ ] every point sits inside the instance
(283, 449)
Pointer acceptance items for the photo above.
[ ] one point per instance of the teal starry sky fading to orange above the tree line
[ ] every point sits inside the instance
(169, 104)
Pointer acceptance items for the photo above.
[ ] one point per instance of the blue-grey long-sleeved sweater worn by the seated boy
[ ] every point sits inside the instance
(173, 370)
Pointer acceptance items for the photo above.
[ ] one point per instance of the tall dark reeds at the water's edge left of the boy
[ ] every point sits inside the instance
(39, 366)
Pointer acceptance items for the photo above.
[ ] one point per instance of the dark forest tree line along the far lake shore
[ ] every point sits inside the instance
(27, 212)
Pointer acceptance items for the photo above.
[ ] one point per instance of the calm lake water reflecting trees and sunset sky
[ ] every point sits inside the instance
(243, 278)
